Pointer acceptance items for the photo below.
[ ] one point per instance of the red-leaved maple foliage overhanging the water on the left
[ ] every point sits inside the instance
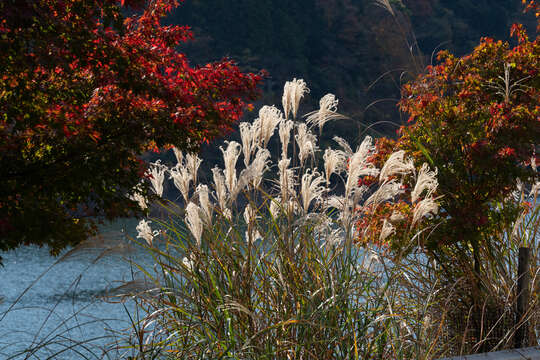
(84, 89)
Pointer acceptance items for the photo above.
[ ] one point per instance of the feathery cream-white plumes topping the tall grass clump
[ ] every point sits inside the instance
(302, 192)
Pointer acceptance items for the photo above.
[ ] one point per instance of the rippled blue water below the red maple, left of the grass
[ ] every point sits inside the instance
(55, 306)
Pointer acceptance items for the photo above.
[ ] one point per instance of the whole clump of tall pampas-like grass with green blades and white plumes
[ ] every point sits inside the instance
(263, 263)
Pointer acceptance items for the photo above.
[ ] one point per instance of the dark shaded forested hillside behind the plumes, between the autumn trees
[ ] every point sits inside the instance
(342, 46)
